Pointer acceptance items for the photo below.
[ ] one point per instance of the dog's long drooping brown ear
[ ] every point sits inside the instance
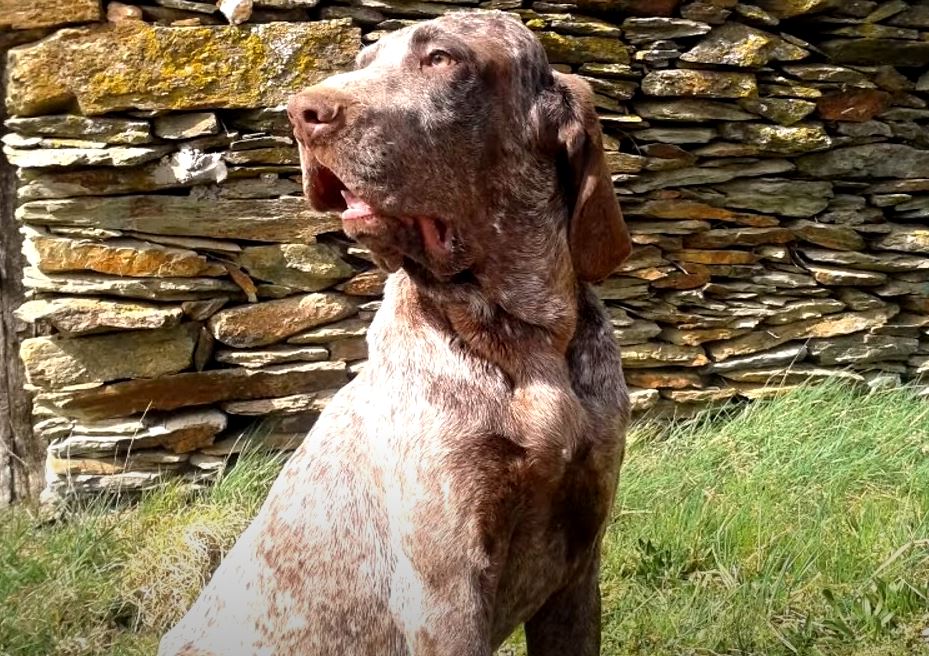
(597, 234)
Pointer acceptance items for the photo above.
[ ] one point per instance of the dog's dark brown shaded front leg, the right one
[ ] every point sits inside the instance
(569, 622)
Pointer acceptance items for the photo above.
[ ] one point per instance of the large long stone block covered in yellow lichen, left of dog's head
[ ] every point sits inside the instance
(132, 65)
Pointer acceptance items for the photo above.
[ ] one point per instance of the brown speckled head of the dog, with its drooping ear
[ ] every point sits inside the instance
(448, 126)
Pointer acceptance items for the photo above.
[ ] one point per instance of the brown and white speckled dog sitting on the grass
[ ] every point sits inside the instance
(460, 485)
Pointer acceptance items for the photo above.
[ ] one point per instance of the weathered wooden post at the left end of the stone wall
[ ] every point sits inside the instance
(21, 453)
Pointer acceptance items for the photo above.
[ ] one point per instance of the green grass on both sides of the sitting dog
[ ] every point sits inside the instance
(798, 526)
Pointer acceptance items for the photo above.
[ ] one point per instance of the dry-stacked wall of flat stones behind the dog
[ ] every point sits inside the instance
(772, 160)
